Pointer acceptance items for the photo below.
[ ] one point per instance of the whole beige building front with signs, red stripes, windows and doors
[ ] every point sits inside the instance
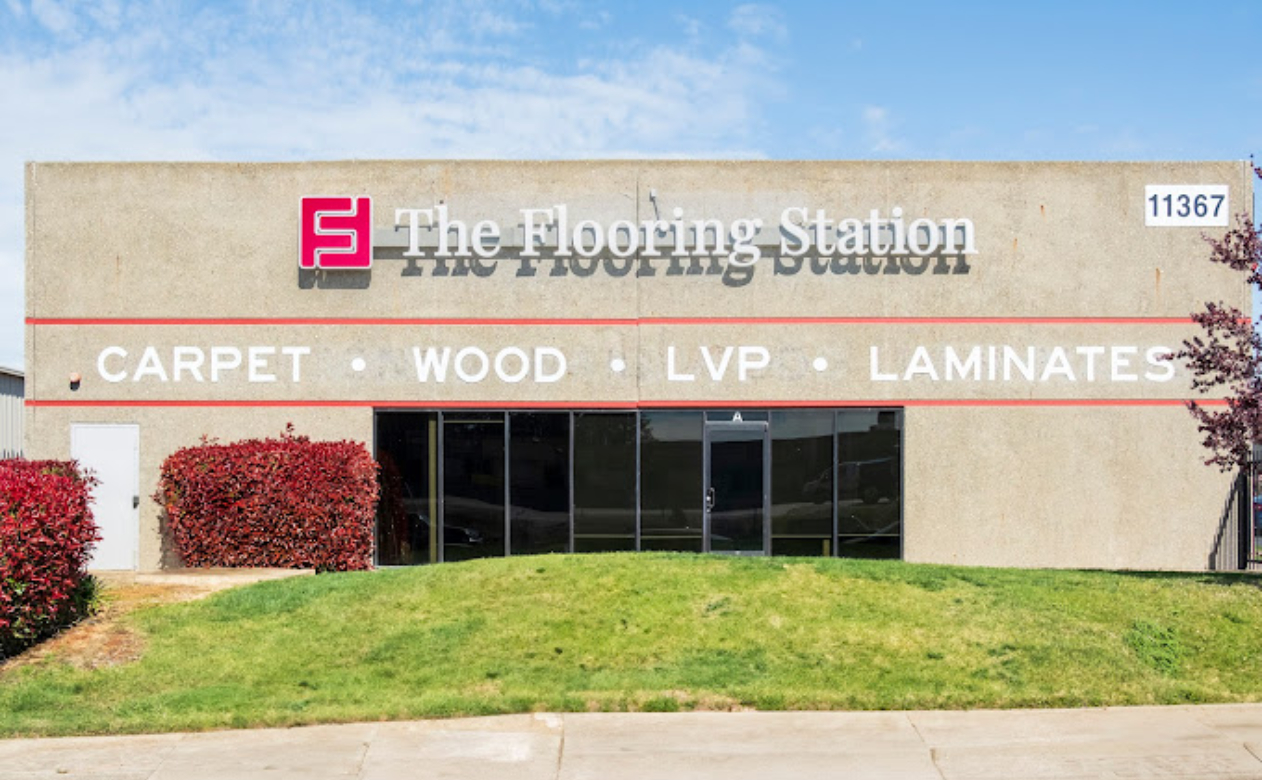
(957, 363)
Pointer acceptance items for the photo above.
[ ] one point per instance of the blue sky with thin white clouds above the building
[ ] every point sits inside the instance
(561, 79)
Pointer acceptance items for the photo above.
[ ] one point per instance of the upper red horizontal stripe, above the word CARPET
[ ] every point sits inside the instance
(580, 321)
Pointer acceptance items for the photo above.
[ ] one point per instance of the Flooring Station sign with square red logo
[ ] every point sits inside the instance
(336, 233)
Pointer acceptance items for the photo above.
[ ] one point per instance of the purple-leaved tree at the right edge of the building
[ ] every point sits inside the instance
(1227, 358)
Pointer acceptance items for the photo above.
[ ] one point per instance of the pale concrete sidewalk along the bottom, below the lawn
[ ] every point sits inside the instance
(1203, 743)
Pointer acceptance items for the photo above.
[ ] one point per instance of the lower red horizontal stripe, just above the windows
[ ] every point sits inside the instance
(646, 405)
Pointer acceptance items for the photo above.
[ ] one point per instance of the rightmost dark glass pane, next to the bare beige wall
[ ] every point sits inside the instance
(869, 484)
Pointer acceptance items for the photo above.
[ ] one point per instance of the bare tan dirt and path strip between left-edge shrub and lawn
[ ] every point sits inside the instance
(105, 639)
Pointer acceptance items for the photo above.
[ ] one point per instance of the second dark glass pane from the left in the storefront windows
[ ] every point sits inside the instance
(473, 487)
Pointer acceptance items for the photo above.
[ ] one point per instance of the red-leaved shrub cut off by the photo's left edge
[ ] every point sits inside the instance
(46, 538)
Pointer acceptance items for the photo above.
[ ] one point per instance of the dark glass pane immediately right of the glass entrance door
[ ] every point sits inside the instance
(802, 483)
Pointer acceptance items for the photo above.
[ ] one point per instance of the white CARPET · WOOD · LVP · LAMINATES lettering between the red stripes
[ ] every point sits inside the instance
(721, 364)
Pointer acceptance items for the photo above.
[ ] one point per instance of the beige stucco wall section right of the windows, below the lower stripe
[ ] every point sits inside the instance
(1099, 488)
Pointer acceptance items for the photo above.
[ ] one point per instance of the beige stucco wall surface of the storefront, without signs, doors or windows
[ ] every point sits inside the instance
(1076, 485)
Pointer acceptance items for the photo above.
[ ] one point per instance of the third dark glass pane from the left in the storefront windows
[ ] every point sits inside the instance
(540, 483)
